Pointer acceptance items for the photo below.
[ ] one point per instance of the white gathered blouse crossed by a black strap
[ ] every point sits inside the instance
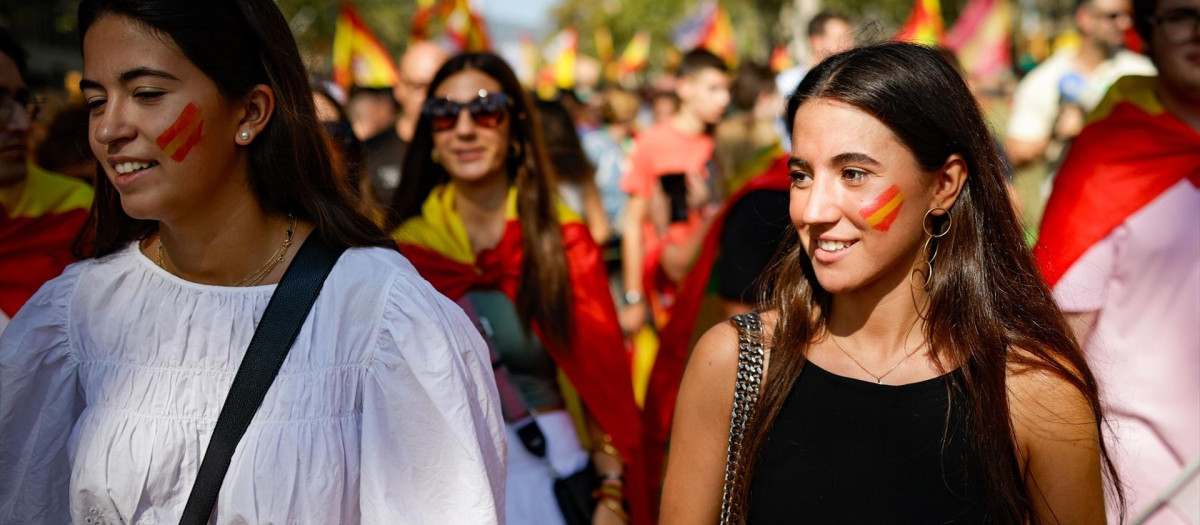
(112, 378)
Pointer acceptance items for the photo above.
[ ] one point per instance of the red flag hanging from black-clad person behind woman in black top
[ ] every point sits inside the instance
(677, 335)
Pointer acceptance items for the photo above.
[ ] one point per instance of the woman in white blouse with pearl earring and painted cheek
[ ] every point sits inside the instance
(215, 171)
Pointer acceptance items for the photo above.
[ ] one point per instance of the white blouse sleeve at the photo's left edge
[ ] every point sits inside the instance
(40, 403)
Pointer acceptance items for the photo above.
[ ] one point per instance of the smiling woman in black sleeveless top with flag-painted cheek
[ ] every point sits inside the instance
(916, 369)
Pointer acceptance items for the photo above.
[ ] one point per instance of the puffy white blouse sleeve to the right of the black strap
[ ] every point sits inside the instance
(434, 449)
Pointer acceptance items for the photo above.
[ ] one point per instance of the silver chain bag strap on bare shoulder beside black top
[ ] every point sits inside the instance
(746, 397)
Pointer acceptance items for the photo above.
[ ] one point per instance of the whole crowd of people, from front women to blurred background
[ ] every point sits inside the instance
(847, 287)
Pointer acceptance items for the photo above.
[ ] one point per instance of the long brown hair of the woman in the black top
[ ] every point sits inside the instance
(987, 297)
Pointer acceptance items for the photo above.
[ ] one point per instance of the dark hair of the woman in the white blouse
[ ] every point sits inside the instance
(239, 45)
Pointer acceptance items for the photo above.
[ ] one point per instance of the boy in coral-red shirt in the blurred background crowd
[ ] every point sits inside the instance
(656, 251)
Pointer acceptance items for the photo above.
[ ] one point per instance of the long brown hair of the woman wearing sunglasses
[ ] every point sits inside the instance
(544, 294)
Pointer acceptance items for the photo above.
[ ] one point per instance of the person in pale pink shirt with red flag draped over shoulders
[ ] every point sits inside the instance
(1121, 248)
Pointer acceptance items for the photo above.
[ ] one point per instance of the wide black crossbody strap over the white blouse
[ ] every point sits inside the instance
(277, 331)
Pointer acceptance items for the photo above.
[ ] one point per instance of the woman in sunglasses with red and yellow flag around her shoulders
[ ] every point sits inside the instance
(479, 218)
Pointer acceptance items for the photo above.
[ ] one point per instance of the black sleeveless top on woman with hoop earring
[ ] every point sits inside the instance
(844, 451)
